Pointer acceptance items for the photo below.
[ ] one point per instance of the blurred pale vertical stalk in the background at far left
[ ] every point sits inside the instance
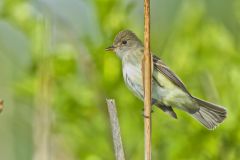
(42, 121)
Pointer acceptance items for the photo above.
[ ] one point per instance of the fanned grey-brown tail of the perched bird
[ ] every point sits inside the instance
(210, 115)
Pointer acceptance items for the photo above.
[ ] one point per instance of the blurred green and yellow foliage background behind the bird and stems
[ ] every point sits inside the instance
(55, 77)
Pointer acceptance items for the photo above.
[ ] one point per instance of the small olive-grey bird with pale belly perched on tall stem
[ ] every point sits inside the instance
(168, 91)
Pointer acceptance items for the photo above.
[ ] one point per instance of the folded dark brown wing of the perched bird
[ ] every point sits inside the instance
(161, 67)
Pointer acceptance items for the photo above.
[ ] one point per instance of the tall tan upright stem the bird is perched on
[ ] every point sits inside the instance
(147, 79)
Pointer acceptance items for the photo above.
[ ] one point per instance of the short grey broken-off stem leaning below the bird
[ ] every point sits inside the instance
(118, 147)
